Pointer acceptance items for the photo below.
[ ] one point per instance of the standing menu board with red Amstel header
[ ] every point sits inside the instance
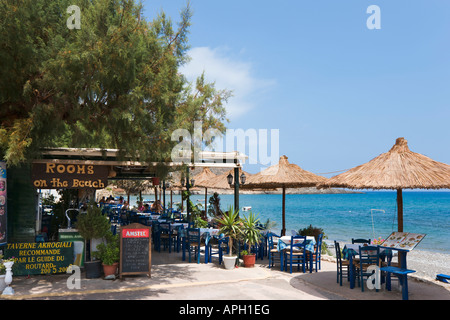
(135, 249)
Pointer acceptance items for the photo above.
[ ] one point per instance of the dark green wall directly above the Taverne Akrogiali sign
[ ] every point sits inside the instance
(21, 205)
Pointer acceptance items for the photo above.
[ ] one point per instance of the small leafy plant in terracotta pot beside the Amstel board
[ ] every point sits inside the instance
(109, 253)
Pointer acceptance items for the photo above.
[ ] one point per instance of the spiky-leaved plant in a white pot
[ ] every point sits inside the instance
(230, 226)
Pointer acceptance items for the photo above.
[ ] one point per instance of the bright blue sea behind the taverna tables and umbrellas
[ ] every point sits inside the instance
(346, 216)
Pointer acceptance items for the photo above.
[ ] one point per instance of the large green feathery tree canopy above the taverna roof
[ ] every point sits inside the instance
(114, 83)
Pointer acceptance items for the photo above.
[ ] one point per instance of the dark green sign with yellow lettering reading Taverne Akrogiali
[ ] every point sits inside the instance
(40, 257)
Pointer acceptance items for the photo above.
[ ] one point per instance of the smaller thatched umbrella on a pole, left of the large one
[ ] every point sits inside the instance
(283, 175)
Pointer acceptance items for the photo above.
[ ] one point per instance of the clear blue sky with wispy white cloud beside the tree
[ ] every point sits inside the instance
(339, 93)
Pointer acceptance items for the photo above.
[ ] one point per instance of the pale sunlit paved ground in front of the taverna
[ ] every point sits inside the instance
(174, 279)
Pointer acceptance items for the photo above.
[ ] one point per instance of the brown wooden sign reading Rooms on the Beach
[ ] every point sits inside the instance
(69, 176)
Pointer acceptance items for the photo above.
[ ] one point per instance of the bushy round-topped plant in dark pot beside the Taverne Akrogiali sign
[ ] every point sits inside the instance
(92, 225)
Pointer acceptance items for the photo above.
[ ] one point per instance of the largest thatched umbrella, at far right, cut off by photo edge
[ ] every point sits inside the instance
(397, 169)
